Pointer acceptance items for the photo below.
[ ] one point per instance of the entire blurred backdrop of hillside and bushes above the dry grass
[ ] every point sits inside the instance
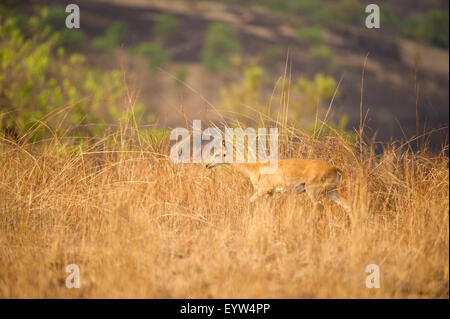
(233, 60)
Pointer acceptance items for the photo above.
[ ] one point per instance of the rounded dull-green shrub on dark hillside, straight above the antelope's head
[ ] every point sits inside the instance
(220, 43)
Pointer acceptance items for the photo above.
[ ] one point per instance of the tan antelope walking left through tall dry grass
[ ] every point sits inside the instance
(315, 177)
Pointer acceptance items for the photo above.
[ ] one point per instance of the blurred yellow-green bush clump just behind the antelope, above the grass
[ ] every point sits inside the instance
(245, 101)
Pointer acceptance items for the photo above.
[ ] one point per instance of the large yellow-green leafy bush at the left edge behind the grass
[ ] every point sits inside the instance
(38, 78)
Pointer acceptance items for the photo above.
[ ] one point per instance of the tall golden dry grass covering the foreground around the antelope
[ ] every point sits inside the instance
(140, 226)
